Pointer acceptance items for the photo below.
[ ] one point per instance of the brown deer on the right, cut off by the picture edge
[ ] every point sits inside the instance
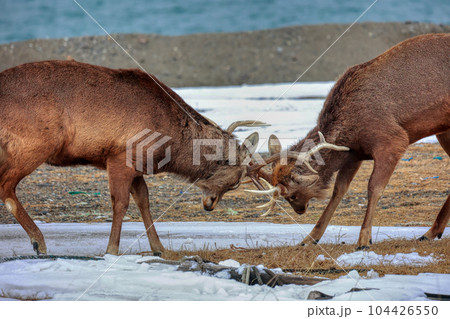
(374, 111)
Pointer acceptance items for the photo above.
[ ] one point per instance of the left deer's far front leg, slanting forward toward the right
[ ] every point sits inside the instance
(139, 191)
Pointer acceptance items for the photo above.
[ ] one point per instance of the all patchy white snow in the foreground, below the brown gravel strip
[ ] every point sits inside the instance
(123, 278)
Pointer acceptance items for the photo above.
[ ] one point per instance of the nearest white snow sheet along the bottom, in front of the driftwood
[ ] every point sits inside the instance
(124, 279)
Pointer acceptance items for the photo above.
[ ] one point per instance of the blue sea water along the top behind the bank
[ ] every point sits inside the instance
(28, 19)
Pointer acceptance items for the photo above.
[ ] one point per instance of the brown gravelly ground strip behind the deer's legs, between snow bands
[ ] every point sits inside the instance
(80, 194)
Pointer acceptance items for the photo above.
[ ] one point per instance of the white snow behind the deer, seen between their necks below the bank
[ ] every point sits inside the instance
(291, 109)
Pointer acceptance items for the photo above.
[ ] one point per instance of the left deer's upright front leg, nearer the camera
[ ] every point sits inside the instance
(120, 180)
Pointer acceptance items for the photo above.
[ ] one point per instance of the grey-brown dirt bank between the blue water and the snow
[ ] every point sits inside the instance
(268, 56)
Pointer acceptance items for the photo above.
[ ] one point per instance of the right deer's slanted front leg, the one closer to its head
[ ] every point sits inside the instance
(343, 180)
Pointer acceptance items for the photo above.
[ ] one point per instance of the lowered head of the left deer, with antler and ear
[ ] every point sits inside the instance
(226, 174)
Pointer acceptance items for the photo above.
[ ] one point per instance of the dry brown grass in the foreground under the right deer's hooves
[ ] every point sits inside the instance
(302, 260)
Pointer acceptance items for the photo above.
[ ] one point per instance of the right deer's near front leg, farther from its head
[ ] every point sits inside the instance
(385, 160)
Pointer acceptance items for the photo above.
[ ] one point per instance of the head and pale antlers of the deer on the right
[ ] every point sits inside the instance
(292, 176)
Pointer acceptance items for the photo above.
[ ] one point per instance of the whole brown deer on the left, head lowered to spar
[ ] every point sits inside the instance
(69, 113)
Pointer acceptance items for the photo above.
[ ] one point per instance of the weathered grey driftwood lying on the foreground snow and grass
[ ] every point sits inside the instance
(250, 275)
